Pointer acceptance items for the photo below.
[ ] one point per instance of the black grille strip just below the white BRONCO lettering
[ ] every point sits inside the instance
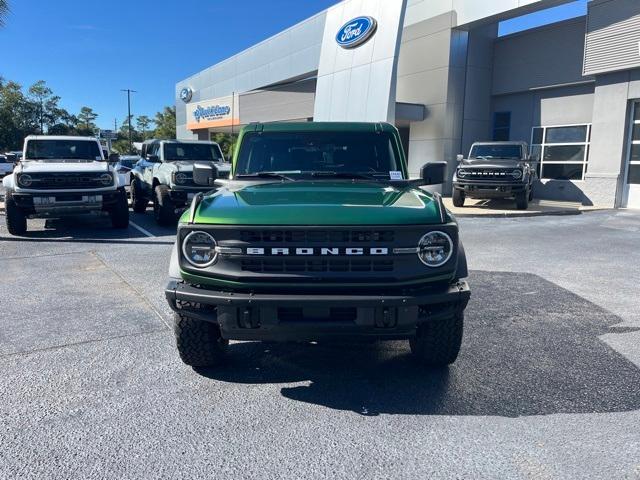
(297, 265)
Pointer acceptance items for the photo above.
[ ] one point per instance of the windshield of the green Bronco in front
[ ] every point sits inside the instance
(330, 153)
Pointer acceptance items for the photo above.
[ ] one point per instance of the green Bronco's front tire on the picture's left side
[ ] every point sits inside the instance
(199, 343)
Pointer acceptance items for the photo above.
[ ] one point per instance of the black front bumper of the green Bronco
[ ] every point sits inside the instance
(304, 317)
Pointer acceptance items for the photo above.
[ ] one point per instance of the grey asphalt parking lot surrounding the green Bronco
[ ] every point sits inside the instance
(547, 384)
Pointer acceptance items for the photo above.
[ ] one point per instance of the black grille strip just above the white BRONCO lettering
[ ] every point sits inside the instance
(306, 237)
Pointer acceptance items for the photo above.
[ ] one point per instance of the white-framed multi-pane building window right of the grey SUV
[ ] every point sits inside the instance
(562, 151)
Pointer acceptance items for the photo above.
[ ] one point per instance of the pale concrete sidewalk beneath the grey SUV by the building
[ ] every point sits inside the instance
(507, 208)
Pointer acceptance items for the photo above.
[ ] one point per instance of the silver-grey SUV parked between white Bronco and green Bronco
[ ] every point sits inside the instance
(164, 175)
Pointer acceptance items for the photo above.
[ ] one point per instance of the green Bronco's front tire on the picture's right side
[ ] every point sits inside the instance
(437, 343)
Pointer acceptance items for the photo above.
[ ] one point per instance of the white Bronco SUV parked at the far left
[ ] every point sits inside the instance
(61, 175)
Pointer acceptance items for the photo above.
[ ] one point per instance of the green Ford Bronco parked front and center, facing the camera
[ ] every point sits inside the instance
(318, 235)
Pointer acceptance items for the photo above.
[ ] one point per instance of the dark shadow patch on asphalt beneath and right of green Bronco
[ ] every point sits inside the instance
(530, 348)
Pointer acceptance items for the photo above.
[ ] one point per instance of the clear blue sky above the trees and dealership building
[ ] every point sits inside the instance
(87, 51)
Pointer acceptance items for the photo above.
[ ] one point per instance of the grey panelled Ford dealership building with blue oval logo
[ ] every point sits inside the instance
(438, 70)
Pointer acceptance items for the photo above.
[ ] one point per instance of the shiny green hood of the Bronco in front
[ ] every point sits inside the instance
(318, 203)
